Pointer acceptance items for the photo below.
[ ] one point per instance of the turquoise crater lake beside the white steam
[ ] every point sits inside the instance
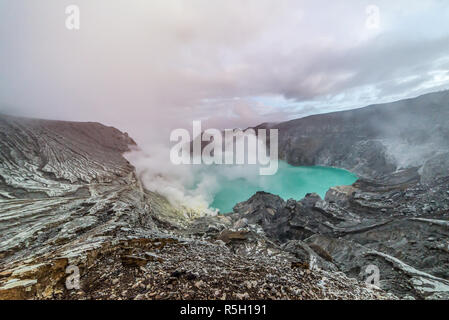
(289, 183)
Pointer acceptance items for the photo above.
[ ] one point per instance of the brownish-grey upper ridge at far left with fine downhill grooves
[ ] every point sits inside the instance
(43, 158)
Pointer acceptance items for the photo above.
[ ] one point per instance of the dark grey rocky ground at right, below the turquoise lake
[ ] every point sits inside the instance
(394, 223)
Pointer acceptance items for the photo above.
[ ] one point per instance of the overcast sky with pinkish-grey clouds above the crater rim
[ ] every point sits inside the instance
(150, 66)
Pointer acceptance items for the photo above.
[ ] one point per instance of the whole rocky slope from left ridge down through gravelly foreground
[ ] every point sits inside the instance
(68, 199)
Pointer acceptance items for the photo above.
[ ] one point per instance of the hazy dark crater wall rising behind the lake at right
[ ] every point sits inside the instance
(371, 141)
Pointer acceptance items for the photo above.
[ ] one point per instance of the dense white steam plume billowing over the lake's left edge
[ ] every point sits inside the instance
(191, 188)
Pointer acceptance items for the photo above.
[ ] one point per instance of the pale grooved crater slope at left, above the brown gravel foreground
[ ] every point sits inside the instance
(66, 191)
